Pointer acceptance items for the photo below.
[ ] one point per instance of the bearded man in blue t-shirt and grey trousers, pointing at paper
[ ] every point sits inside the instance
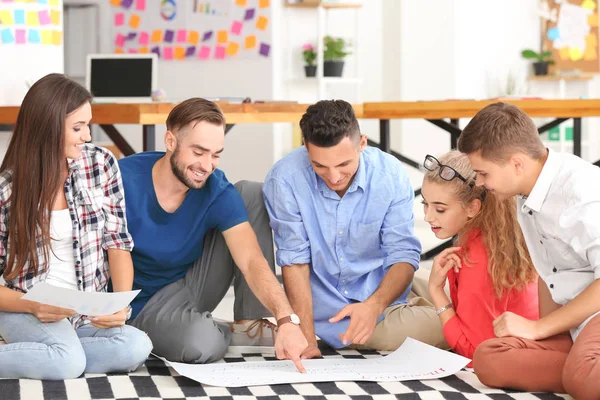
(194, 232)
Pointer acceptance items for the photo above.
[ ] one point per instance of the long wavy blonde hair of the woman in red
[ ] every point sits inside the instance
(509, 264)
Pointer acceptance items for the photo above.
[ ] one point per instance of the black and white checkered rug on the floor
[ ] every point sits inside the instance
(156, 381)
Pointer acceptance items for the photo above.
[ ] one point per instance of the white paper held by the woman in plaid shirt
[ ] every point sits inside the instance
(84, 303)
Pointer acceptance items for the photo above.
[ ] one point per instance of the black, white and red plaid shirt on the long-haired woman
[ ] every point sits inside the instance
(94, 193)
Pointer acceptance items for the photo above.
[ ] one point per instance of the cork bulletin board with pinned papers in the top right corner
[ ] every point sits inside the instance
(570, 31)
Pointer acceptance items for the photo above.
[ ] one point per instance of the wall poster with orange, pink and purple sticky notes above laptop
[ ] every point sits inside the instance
(193, 29)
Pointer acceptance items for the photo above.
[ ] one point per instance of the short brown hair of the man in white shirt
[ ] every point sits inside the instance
(498, 131)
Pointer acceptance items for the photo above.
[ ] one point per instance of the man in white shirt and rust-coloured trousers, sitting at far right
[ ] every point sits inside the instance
(559, 213)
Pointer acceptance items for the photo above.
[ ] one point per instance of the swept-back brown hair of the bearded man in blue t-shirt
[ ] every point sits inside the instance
(194, 110)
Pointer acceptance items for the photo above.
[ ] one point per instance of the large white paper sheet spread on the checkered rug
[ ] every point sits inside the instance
(414, 360)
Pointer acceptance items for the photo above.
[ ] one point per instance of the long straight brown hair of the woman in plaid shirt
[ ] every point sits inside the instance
(34, 158)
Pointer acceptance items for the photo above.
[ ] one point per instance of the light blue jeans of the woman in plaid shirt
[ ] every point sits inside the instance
(55, 350)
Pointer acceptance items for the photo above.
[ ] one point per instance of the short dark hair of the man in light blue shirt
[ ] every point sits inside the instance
(327, 122)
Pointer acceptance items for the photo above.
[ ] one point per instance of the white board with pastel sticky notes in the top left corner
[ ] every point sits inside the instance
(32, 22)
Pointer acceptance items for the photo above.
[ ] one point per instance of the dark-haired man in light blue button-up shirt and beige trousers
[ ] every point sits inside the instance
(342, 215)
